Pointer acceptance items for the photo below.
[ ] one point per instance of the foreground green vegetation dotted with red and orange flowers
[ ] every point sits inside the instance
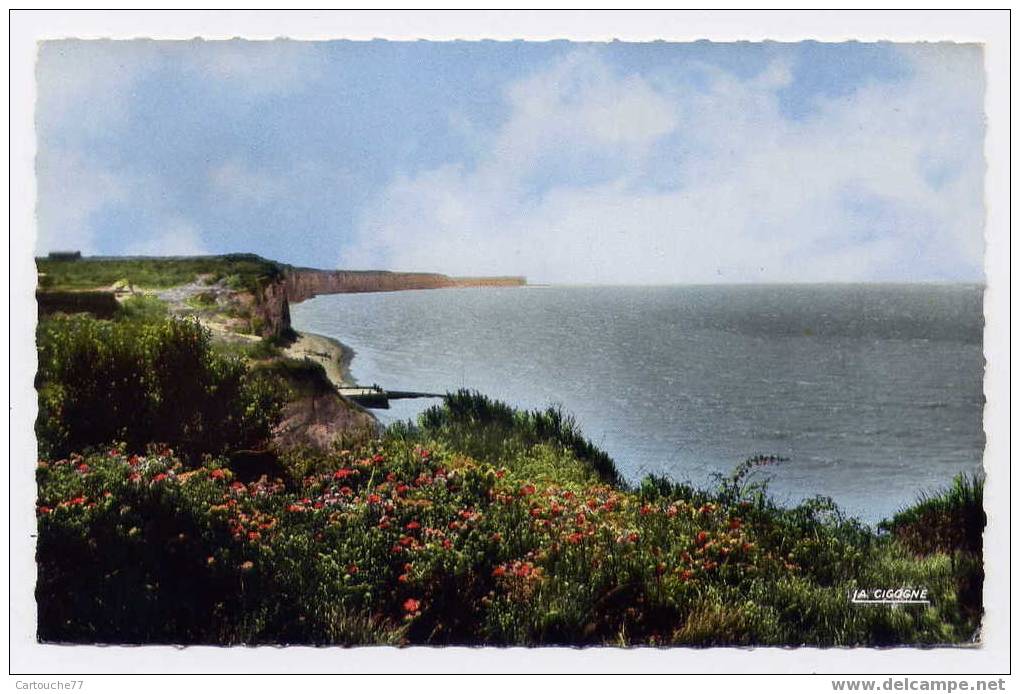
(412, 541)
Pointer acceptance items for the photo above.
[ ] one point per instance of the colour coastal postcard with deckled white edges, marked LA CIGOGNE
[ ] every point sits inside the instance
(383, 342)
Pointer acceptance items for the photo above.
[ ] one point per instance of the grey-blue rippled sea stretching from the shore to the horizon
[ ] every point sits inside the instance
(875, 392)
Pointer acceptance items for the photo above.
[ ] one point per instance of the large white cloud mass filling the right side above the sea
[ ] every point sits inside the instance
(842, 195)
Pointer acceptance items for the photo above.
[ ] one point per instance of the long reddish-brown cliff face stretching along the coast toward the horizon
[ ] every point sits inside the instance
(273, 307)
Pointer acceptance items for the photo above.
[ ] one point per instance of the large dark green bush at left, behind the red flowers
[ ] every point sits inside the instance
(140, 382)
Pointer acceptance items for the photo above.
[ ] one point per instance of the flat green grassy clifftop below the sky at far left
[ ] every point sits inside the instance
(242, 272)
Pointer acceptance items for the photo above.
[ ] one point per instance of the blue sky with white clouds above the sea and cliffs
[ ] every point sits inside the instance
(567, 163)
